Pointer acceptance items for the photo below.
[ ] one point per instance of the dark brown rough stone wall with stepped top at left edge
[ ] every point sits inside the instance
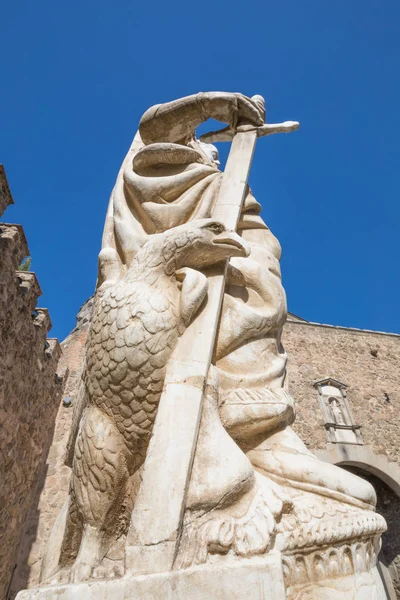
(30, 390)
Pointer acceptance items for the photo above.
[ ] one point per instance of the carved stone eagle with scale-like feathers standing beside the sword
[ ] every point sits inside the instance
(137, 320)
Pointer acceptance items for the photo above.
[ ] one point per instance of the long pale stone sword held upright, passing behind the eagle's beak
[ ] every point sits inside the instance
(156, 522)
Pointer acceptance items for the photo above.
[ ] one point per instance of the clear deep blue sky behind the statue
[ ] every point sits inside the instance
(76, 77)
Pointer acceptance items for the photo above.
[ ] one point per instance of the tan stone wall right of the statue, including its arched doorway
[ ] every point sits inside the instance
(368, 363)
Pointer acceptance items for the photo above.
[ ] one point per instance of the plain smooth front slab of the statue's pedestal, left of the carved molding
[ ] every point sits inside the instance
(254, 579)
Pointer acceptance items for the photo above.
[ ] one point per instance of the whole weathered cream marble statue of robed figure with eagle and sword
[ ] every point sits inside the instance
(183, 459)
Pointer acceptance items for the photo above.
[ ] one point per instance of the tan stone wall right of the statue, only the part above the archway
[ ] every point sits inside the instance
(367, 362)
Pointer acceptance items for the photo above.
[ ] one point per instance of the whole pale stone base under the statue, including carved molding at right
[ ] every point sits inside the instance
(343, 572)
